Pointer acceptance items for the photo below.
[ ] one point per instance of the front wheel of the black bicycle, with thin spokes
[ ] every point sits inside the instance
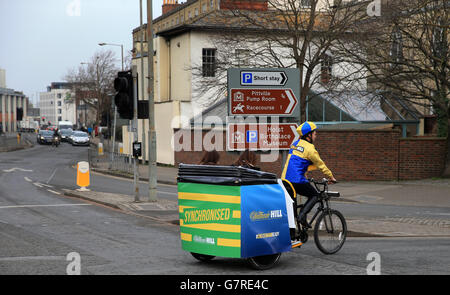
(330, 231)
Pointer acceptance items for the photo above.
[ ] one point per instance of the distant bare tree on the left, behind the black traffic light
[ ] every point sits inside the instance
(96, 77)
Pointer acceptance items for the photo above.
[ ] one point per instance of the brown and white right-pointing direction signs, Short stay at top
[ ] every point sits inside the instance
(263, 92)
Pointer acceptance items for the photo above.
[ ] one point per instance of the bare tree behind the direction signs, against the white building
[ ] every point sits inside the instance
(285, 33)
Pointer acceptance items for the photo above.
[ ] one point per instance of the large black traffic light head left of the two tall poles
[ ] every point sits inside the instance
(123, 84)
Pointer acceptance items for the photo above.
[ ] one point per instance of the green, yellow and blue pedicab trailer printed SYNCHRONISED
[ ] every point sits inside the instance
(234, 212)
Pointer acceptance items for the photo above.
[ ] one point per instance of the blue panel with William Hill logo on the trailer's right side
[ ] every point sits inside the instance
(264, 222)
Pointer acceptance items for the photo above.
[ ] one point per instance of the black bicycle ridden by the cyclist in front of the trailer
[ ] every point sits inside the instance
(330, 229)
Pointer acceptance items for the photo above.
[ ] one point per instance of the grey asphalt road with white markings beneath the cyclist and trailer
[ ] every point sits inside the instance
(39, 227)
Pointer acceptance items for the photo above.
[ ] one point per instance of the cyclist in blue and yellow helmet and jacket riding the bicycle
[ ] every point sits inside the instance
(303, 157)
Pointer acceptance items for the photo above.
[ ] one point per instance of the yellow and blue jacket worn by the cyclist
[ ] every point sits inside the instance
(303, 157)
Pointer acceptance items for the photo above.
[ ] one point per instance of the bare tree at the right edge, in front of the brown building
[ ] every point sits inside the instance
(405, 52)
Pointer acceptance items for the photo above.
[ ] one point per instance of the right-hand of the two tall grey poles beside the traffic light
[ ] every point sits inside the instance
(152, 176)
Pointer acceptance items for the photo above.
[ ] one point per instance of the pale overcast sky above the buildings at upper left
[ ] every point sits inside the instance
(41, 40)
